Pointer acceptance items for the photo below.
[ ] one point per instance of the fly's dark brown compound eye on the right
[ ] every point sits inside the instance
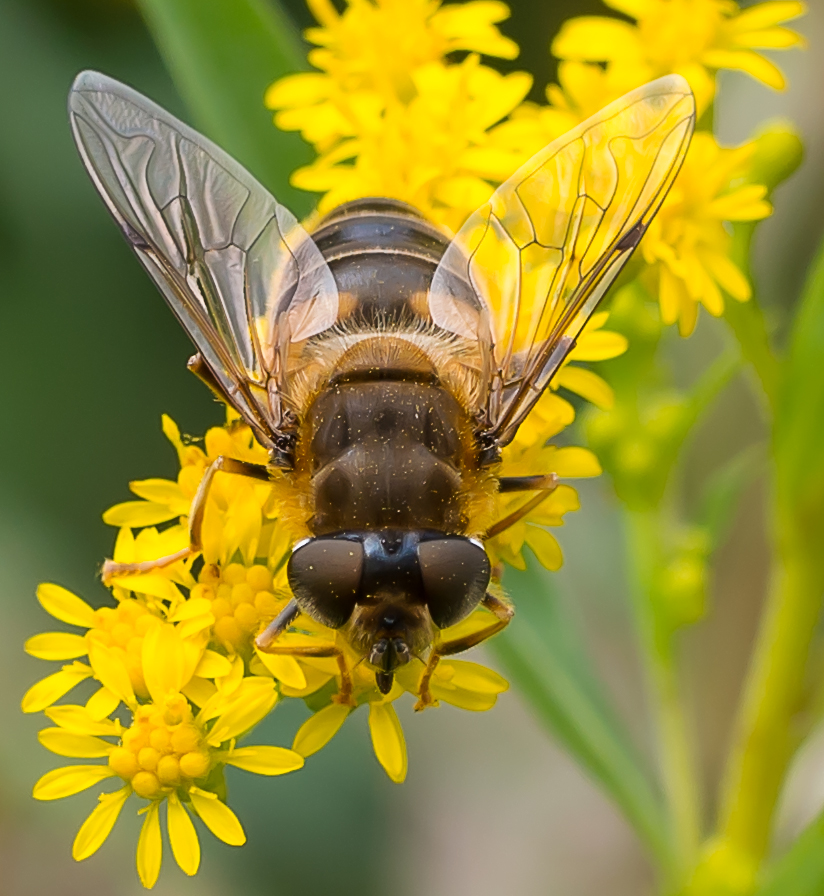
(455, 574)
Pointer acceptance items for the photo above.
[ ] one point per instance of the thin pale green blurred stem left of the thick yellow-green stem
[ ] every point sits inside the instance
(678, 768)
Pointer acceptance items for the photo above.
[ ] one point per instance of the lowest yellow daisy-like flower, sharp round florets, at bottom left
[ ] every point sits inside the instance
(168, 754)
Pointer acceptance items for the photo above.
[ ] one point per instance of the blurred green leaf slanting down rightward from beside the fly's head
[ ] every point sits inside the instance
(542, 654)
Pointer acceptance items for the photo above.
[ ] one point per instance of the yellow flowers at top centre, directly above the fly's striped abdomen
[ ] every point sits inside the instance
(390, 116)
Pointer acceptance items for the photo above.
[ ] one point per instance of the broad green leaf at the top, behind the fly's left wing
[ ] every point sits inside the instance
(222, 55)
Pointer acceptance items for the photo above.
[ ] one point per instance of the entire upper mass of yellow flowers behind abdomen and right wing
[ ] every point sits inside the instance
(402, 118)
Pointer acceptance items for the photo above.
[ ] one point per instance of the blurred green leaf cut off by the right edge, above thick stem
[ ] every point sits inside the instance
(799, 423)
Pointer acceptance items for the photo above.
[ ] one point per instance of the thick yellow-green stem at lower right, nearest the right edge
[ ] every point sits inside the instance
(768, 726)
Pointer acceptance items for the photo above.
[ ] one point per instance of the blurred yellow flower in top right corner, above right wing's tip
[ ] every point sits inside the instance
(694, 38)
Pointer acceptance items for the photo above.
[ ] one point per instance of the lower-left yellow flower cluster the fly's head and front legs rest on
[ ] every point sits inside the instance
(172, 676)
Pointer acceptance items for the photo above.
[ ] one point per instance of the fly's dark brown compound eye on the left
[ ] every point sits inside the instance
(325, 577)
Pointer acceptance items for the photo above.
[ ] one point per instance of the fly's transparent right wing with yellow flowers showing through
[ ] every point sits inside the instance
(540, 255)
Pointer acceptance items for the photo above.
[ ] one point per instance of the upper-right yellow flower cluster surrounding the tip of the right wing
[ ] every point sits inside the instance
(602, 58)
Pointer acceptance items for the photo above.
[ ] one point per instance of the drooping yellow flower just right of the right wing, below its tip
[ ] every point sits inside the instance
(687, 246)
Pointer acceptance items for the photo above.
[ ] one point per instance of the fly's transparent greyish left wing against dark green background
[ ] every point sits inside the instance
(239, 272)
